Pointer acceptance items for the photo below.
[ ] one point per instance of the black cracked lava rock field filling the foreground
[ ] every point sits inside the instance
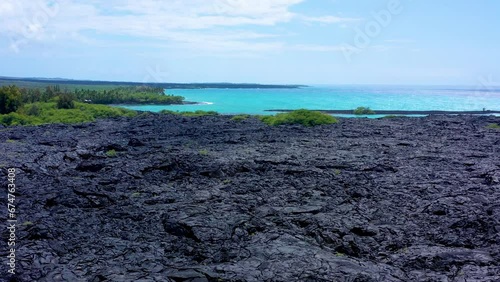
(168, 198)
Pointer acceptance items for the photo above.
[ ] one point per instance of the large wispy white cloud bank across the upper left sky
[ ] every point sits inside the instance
(204, 24)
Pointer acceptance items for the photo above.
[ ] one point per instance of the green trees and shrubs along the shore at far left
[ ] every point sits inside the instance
(34, 106)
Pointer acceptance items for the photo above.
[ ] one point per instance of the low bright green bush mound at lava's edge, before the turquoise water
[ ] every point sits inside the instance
(303, 117)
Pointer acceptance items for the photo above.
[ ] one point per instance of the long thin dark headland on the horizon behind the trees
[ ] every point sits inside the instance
(42, 82)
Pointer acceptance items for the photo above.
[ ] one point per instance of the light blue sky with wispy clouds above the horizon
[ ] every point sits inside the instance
(402, 42)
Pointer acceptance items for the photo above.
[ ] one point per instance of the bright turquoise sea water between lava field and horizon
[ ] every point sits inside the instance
(256, 101)
